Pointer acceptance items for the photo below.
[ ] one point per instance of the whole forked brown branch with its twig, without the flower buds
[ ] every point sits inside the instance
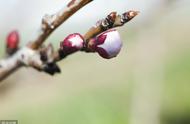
(44, 58)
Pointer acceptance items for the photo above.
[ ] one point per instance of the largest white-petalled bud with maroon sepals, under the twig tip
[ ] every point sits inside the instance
(108, 44)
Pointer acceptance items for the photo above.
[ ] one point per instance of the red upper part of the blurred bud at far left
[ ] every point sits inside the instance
(13, 40)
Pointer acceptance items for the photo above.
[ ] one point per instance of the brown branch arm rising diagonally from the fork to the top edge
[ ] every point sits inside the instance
(51, 22)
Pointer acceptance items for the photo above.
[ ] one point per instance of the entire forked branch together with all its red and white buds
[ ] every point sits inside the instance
(43, 58)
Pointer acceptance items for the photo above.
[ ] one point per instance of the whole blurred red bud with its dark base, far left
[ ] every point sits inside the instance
(12, 42)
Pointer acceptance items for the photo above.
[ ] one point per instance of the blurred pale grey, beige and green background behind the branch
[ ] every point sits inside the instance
(148, 83)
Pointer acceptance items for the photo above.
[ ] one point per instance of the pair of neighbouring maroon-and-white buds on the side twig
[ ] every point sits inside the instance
(108, 44)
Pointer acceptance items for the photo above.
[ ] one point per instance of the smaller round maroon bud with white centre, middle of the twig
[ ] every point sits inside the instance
(72, 43)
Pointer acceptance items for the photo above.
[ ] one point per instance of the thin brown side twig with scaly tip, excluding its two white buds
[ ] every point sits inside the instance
(111, 21)
